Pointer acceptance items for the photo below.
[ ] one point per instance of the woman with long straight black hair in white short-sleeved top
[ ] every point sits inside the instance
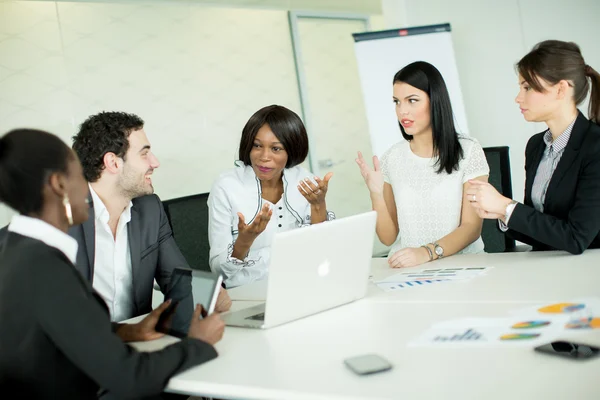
(418, 189)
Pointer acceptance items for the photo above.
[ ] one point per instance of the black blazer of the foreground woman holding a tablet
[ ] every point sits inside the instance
(56, 339)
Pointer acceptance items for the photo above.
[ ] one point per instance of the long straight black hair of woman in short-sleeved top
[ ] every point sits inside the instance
(446, 146)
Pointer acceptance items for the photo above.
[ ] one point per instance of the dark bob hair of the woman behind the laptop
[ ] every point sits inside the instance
(286, 126)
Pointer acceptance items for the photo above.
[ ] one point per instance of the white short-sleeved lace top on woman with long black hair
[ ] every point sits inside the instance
(429, 204)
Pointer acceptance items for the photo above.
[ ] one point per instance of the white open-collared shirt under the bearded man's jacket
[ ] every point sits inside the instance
(113, 277)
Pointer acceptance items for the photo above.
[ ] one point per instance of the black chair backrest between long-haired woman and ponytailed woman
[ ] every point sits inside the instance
(498, 159)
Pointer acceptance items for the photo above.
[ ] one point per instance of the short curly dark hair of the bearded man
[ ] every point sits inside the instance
(106, 132)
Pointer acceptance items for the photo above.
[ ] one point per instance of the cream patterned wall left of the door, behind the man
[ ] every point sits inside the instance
(194, 73)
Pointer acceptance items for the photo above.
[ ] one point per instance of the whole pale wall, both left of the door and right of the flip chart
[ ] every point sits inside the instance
(197, 72)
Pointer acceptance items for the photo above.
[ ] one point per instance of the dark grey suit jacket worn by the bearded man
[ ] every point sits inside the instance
(154, 254)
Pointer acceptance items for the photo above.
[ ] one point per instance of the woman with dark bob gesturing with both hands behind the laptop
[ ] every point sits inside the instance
(268, 192)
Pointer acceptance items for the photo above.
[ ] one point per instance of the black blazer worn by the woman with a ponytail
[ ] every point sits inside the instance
(571, 217)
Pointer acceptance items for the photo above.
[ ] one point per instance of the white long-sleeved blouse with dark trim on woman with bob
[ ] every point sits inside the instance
(239, 190)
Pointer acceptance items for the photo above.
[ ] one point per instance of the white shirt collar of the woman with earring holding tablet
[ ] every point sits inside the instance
(37, 229)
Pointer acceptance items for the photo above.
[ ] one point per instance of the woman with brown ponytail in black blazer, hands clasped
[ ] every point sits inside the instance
(561, 210)
